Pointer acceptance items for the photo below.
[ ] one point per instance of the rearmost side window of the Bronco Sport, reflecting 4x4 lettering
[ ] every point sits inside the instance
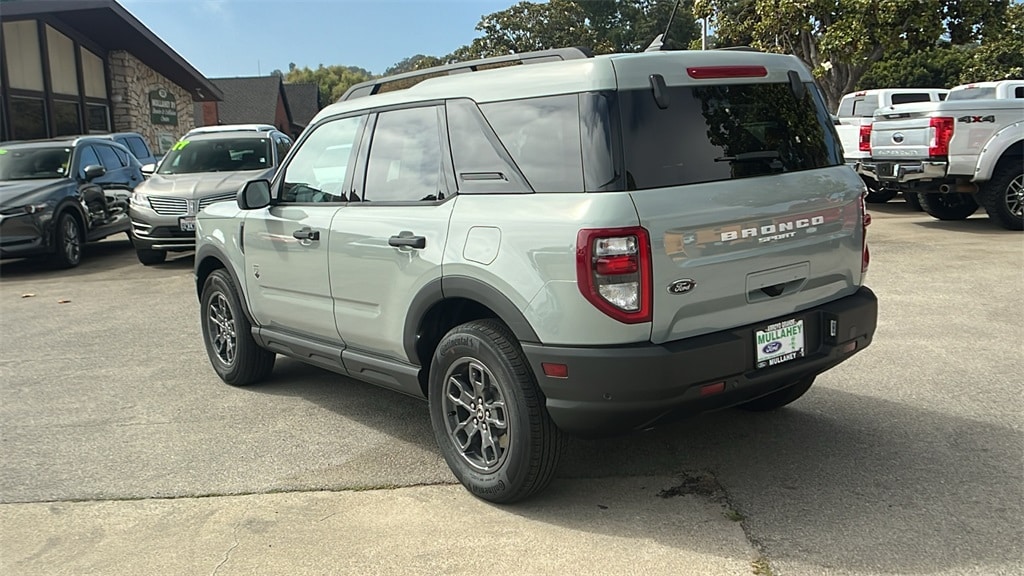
(543, 138)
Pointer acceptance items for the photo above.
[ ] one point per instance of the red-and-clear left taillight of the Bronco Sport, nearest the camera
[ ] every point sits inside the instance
(614, 272)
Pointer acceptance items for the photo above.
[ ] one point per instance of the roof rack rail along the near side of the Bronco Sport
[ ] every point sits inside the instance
(410, 79)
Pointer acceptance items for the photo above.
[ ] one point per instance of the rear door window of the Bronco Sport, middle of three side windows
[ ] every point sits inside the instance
(405, 162)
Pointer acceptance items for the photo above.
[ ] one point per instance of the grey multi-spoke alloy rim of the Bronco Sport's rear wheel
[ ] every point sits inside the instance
(476, 415)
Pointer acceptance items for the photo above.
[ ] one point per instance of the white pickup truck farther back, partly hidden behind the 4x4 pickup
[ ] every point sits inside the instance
(856, 115)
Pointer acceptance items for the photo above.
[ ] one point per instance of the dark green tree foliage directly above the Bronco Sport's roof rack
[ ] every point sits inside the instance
(603, 26)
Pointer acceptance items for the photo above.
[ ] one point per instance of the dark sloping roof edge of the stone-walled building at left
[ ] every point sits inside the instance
(107, 24)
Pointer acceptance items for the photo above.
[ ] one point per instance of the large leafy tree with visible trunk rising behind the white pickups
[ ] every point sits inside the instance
(840, 40)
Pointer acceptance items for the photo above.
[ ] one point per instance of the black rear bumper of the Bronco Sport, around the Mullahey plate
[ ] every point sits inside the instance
(619, 390)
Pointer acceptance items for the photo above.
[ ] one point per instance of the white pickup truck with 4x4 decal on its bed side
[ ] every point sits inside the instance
(957, 154)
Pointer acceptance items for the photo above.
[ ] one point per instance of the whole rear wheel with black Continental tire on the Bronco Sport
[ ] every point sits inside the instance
(483, 360)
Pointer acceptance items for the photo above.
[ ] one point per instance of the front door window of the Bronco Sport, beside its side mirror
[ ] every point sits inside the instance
(321, 166)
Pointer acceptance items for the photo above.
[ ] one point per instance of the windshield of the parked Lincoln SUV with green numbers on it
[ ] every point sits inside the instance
(222, 155)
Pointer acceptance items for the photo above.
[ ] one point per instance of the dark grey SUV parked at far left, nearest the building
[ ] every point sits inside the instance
(57, 195)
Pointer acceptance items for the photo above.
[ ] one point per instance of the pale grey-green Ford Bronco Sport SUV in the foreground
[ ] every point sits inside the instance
(589, 245)
